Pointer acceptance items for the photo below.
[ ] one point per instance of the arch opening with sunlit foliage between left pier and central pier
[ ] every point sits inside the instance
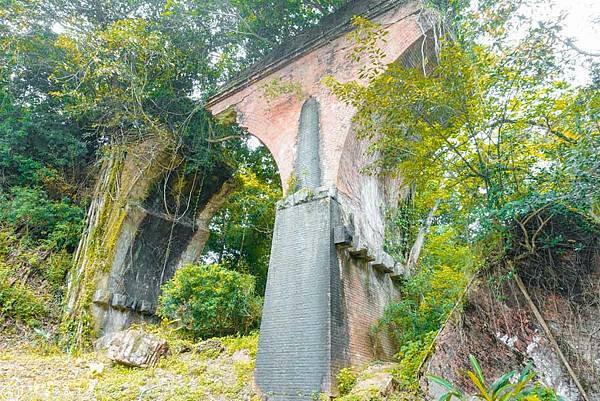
(241, 228)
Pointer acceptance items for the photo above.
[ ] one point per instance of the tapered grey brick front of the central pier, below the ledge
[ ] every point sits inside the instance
(303, 336)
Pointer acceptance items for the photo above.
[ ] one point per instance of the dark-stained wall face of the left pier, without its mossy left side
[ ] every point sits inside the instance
(157, 236)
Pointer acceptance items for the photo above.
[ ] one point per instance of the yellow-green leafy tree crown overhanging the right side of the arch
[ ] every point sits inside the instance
(487, 125)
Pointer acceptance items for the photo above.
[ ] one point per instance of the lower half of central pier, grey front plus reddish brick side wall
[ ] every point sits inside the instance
(322, 299)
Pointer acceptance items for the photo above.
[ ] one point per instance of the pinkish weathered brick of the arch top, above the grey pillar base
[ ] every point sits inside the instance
(275, 121)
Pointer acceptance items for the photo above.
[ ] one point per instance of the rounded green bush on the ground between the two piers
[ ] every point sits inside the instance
(209, 300)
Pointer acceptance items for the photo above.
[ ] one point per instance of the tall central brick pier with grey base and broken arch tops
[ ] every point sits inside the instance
(329, 277)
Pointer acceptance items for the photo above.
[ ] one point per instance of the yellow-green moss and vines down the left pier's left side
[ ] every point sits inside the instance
(120, 185)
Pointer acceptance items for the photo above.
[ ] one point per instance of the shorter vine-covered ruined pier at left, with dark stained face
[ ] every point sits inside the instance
(145, 221)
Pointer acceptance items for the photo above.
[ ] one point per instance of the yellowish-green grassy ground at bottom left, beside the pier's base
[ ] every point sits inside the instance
(28, 375)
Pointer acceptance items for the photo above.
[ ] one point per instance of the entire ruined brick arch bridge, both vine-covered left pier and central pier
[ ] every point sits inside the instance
(329, 278)
